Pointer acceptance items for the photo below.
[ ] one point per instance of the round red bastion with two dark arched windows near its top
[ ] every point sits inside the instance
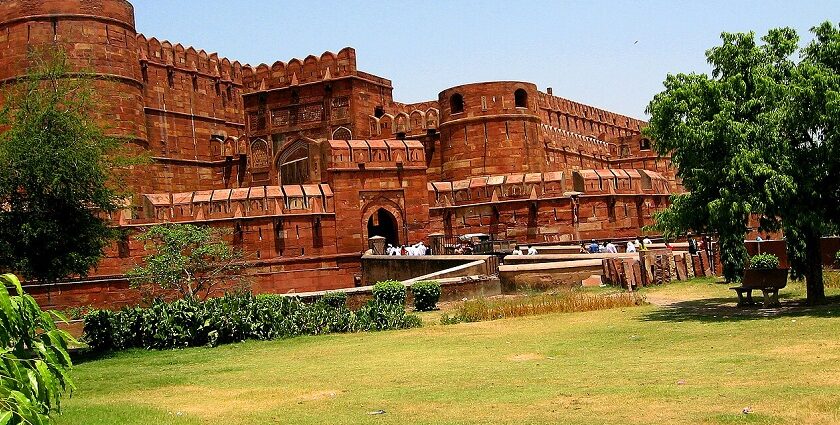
(489, 129)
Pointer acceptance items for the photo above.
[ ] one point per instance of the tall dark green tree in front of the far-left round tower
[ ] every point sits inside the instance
(58, 178)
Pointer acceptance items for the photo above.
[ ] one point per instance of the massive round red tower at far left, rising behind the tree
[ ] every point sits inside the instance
(98, 37)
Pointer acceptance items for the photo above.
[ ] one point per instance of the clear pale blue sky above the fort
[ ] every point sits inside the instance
(613, 55)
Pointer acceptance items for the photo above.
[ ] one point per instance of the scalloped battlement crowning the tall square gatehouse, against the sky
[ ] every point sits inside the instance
(311, 69)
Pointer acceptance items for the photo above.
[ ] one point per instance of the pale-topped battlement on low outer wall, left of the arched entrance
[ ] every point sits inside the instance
(246, 202)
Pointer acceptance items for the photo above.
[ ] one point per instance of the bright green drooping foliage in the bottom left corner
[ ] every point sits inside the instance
(34, 363)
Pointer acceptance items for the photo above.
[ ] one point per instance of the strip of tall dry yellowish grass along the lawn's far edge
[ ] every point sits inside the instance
(564, 302)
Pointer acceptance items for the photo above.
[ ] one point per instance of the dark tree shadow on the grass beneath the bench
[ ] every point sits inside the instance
(725, 310)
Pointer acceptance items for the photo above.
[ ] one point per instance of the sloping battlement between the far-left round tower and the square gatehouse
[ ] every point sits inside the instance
(189, 60)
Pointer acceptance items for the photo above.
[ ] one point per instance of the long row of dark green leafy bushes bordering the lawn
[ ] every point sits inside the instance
(235, 317)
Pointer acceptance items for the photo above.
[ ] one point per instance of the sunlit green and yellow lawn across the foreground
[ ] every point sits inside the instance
(693, 358)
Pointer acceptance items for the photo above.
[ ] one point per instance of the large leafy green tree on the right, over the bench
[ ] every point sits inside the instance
(756, 138)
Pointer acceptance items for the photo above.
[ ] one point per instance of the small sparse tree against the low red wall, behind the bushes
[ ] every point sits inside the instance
(190, 259)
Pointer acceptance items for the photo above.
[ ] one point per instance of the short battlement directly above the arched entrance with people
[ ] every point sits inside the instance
(373, 154)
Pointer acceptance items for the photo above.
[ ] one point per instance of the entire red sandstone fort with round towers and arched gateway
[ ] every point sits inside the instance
(305, 160)
